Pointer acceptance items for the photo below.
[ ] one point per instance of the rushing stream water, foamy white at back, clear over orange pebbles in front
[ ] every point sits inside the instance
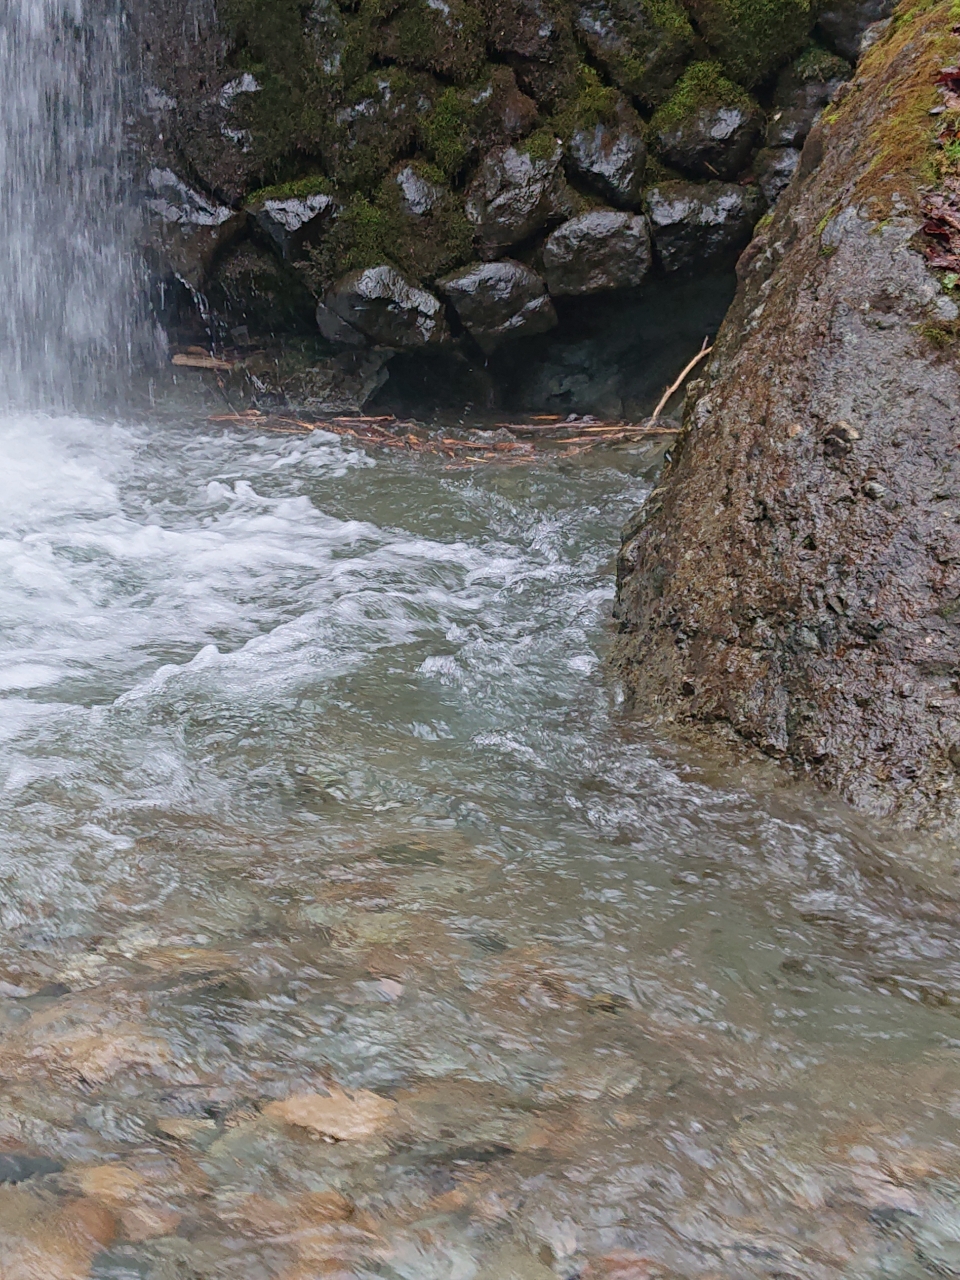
(313, 781)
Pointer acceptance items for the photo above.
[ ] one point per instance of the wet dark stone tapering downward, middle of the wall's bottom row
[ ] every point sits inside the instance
(497, 301)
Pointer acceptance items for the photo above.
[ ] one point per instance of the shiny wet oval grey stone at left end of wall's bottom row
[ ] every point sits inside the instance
(388, 309)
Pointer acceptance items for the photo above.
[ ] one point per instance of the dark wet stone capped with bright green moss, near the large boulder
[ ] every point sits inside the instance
(708, 126)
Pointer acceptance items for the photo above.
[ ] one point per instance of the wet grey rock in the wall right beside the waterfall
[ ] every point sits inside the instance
(186, 230)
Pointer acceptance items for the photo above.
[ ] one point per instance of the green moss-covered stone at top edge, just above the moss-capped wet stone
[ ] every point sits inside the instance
(753, 38)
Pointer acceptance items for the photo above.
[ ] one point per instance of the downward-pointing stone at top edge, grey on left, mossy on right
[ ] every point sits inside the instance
(642, 44)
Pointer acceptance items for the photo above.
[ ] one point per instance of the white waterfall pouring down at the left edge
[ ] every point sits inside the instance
(68, 284)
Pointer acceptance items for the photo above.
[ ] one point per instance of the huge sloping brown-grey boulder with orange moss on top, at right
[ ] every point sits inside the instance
(797, 577)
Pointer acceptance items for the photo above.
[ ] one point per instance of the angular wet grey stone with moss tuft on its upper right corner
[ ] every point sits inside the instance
(515, 195)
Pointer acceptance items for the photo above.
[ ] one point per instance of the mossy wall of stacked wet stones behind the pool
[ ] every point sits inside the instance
(422, 176)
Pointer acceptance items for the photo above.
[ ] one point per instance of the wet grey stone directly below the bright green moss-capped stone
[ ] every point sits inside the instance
(694, 223)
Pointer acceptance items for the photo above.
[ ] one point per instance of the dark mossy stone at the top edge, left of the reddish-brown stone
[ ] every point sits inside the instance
(446, 39)
